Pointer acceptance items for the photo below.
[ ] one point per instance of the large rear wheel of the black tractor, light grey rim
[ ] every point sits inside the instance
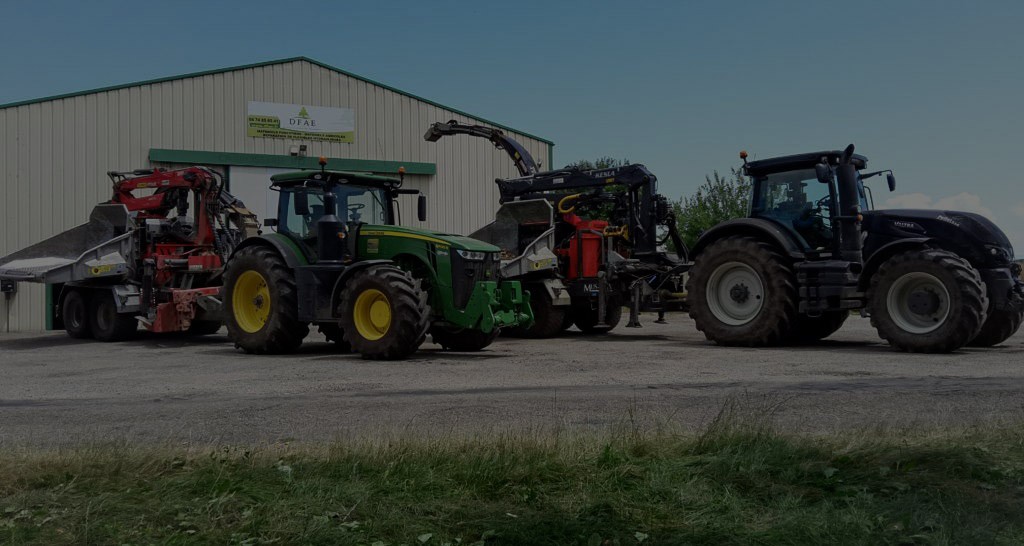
(743, 292)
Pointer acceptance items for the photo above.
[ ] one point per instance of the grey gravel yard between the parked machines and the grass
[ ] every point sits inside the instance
(56, 391)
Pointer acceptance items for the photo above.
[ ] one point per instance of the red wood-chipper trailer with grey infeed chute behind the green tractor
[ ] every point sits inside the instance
(152, 256)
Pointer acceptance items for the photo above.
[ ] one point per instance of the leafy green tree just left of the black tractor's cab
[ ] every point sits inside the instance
(719, 199)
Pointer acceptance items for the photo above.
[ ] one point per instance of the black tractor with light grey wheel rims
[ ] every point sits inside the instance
(813, 249)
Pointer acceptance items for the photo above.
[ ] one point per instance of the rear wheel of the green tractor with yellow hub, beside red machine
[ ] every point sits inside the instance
(263, 304)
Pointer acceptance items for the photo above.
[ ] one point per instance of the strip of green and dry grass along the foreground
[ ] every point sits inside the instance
(730, 484)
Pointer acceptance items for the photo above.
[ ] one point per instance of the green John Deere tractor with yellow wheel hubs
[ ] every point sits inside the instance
(339, 261)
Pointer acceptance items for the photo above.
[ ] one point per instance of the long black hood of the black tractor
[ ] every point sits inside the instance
(966, 233)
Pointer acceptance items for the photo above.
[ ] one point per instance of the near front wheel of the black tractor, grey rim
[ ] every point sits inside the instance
(927, 302)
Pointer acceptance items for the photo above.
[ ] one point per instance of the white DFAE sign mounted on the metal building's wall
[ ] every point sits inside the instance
(275, 120)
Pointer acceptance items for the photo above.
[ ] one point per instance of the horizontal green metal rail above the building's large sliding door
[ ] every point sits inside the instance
(287, 162)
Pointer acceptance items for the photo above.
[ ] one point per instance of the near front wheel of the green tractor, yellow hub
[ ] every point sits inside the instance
(385, 315)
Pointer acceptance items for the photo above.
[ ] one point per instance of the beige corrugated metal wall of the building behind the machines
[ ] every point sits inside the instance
(55, 155)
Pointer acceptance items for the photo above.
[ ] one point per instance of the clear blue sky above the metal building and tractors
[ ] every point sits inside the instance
(930, 90)
